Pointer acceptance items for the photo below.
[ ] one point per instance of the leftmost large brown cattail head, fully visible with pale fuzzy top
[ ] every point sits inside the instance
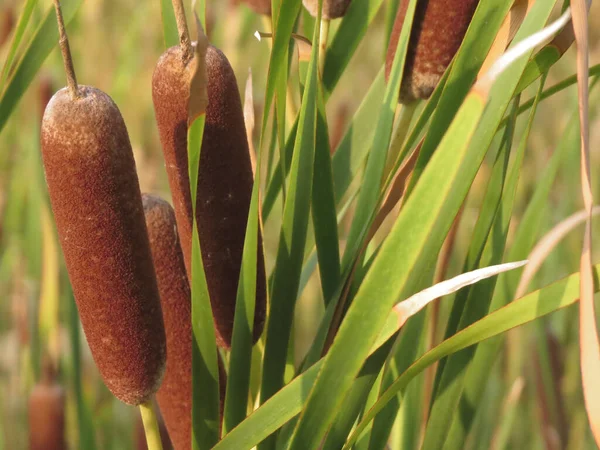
(98, 211)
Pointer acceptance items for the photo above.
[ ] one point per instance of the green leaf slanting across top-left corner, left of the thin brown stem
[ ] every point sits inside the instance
(44, 40)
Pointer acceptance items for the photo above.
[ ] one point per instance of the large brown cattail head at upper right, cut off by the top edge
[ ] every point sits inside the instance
(439, 27)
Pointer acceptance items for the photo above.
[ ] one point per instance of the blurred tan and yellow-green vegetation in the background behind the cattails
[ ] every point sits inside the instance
(115, 46)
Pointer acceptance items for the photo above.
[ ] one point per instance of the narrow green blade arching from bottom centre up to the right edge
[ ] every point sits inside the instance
(556, 296)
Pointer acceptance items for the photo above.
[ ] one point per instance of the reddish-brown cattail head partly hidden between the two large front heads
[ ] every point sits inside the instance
(175, 394)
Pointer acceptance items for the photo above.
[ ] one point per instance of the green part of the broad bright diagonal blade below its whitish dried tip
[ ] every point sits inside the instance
(420, 228)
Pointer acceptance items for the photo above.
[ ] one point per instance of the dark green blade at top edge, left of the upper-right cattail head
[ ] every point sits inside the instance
(352, 29)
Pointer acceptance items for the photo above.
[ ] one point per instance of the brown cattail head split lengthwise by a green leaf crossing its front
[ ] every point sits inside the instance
(224, 185)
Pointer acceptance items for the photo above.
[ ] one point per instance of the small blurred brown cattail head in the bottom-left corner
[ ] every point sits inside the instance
(46, 411)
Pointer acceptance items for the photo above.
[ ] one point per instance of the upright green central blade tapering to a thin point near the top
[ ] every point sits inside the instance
(292, 240)
